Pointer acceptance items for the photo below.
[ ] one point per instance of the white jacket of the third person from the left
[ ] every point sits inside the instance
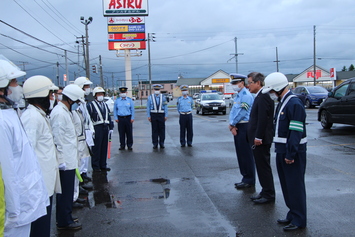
(65, 137)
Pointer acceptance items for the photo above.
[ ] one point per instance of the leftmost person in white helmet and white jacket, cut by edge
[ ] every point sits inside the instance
(21, 172)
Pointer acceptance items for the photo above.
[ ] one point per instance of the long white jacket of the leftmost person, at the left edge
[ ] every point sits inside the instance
(26, 195)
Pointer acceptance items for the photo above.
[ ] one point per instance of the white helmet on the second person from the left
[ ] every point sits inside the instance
(38, 86)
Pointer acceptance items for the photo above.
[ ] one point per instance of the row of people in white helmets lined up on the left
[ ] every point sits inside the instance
(46, 149)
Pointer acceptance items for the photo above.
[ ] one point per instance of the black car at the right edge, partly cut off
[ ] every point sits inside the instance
(339, 107)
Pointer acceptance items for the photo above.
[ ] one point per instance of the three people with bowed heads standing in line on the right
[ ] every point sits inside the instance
(255, 125)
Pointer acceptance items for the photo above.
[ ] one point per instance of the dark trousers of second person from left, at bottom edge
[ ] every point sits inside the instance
(42, 226)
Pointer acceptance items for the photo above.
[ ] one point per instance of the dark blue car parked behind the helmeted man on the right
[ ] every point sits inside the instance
(311, 95)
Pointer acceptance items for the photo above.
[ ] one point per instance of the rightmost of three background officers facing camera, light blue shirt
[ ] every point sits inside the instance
(184, 107)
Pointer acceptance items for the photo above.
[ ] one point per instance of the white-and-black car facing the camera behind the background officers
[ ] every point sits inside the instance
(210, 102)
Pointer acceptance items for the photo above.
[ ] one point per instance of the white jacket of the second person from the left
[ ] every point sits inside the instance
(39, 132)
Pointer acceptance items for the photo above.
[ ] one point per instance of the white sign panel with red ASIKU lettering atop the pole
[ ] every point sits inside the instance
(125, 7)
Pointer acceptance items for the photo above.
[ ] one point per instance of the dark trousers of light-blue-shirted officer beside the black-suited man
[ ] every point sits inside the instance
(244, 154)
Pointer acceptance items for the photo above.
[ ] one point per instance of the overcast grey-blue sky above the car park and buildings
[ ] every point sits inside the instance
(194, 38)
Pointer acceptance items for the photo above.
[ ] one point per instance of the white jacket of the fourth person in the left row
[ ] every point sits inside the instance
(80, 132)
